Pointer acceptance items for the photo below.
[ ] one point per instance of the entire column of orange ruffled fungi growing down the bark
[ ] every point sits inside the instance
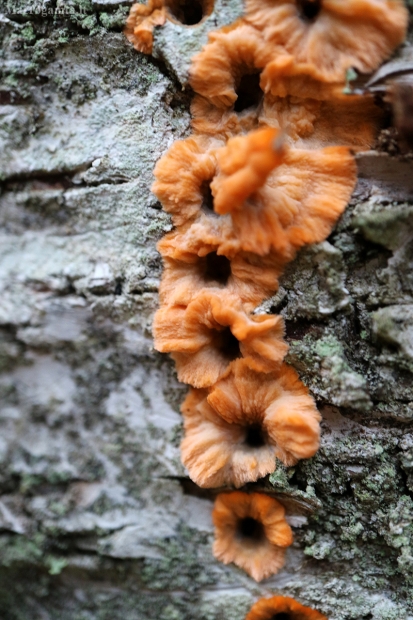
(269, 169)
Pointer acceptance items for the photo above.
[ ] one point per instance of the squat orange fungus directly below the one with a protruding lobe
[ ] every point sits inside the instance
(250, 277)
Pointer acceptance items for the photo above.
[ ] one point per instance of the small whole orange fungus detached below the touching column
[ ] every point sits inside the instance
(251, 531)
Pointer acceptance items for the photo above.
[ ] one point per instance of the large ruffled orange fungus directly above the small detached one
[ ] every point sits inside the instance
(235, 431)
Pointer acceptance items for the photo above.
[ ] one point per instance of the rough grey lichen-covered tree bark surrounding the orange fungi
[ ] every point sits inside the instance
(97, 518)
